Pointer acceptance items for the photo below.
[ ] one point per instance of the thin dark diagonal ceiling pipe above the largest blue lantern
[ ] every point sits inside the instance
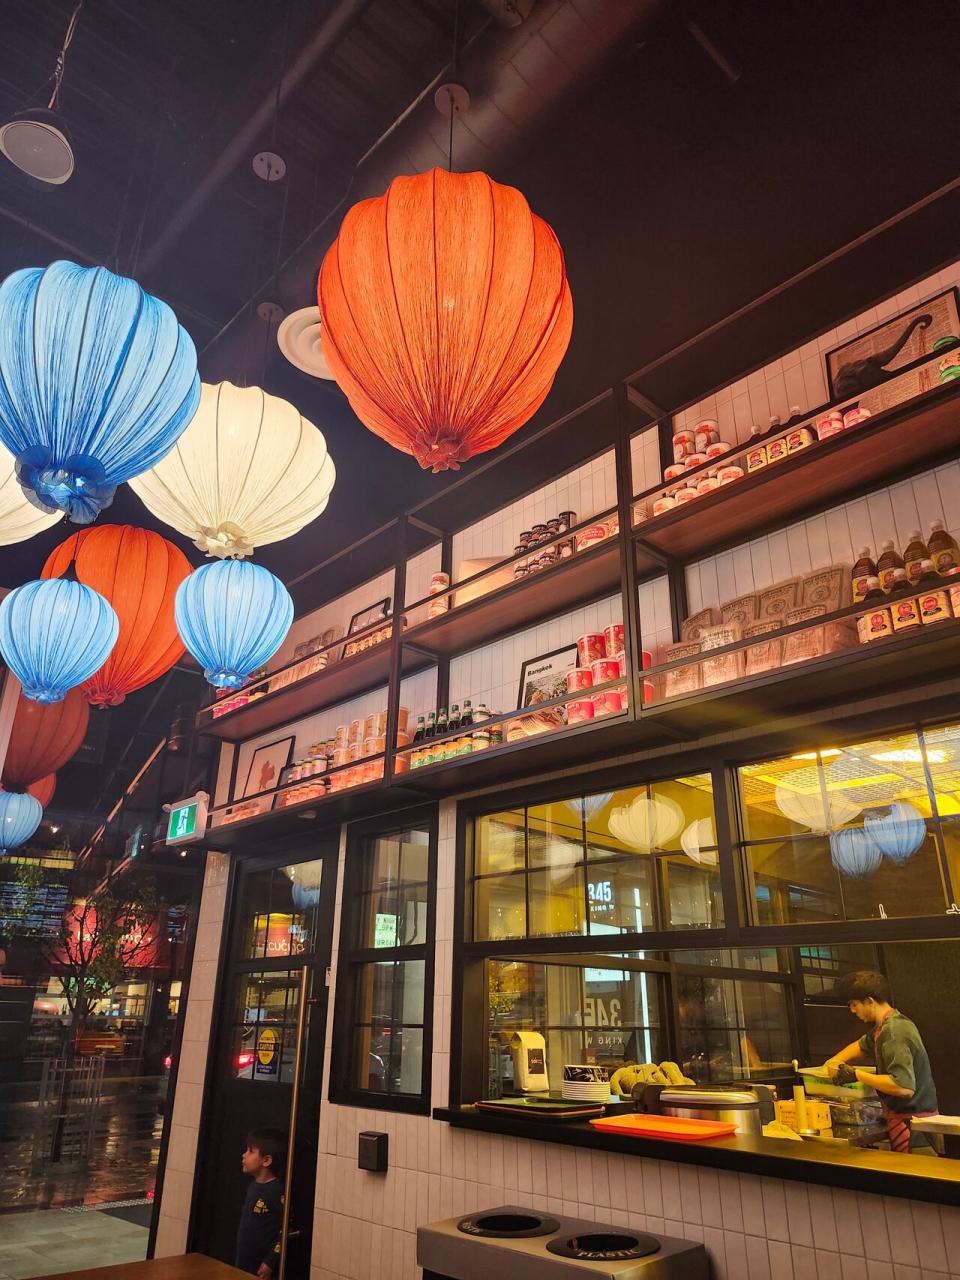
(241, 148)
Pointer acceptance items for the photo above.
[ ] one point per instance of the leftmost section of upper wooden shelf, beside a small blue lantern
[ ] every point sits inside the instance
(327, 688)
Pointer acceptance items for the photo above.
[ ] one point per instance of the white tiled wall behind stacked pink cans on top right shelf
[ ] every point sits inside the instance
(796, 380)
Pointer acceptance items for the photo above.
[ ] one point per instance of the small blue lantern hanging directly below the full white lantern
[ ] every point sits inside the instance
(232, 616)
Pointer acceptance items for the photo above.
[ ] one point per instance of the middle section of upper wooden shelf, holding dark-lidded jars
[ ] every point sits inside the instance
(586, 577)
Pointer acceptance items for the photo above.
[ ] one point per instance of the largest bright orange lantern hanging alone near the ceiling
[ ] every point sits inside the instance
(446, 314)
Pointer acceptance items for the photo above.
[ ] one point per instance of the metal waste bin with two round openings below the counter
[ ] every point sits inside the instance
(515, 1244)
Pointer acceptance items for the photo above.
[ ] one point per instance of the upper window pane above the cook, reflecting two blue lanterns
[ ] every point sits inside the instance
(852, 833)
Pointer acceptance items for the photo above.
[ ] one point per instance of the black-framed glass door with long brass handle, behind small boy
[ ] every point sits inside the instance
(280, 938)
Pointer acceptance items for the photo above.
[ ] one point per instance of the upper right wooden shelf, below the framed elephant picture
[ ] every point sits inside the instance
(890, 446)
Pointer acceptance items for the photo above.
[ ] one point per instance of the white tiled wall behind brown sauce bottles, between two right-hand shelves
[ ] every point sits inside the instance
(834, 537)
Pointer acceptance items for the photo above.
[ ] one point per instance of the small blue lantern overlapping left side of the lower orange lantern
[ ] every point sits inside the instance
(54, 634)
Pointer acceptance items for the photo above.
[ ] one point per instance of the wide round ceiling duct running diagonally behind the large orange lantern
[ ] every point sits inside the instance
(514, 76)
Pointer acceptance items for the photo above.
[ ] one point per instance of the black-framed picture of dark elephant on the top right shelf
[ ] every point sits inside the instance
(868, 367)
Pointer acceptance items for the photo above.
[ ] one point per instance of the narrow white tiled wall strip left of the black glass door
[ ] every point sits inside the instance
(191, 1073)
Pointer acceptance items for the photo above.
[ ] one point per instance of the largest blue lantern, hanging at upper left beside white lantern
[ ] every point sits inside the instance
(98, 381)
